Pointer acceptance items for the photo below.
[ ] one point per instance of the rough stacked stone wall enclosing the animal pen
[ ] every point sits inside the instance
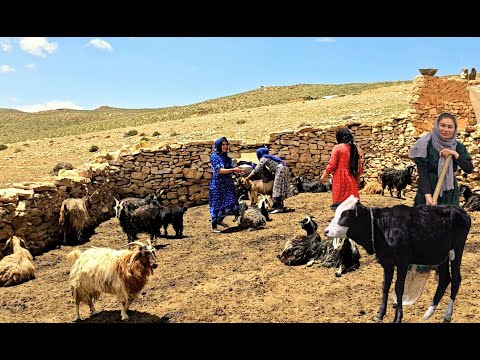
(31, 210)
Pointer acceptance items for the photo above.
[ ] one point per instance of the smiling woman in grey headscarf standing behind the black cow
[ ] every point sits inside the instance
(429, 153)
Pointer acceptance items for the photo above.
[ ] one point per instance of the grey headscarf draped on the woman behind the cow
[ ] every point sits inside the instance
(419, 149)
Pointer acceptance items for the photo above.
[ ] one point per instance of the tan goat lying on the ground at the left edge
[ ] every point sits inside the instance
(17, 267)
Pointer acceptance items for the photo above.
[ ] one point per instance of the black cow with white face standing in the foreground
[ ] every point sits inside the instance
(402, 235)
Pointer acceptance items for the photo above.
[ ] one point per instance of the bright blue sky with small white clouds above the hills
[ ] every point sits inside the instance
(153, 72)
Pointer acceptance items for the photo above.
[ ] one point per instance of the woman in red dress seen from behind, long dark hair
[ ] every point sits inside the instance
(346, 165)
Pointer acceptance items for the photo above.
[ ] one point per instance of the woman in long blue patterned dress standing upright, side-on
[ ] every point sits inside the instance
(222, 192)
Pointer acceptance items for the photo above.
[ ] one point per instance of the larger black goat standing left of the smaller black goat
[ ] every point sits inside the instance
(145, 219)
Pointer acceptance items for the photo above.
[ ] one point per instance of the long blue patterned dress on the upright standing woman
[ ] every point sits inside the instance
(222, 193)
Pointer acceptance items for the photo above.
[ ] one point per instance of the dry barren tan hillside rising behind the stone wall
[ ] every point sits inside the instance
(37, 141)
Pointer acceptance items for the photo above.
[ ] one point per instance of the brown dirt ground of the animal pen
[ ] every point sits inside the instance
(235, 277)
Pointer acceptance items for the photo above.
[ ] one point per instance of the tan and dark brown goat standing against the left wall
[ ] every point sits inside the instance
(74, 216)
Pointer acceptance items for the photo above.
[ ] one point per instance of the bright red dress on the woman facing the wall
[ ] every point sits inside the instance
(343, 184)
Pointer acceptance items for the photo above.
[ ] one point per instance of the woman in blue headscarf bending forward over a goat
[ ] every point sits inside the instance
(281, 181)
